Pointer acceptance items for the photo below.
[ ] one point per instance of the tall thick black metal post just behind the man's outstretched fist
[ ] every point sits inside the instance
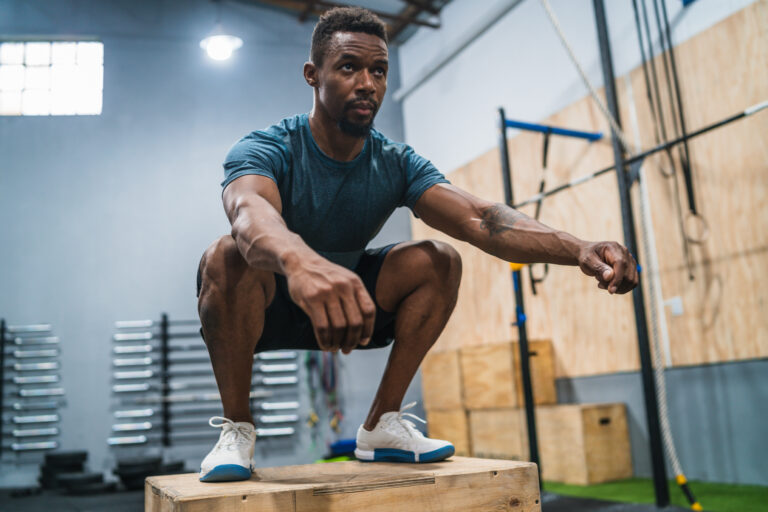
(628, 224)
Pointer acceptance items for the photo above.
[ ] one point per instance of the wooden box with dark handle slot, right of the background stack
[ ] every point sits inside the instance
(584, 443)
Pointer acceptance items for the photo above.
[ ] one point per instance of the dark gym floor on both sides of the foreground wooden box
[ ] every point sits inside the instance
(134, 500)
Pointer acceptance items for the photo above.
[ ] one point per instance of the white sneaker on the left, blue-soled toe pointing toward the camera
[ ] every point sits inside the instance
(232, 457)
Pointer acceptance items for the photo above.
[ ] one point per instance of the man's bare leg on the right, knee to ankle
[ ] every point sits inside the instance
(420, 282)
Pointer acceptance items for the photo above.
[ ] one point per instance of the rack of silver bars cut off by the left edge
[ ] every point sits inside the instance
(30, 389)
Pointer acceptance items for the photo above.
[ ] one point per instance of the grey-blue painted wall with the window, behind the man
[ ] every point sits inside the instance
(105, 218)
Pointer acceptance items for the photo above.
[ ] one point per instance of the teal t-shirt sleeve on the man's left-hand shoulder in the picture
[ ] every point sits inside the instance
(259, 153)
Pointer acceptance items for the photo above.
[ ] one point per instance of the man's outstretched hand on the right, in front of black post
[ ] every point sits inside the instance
(611, 264)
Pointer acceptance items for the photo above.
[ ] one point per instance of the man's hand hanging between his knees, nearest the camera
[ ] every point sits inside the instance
(336, 301)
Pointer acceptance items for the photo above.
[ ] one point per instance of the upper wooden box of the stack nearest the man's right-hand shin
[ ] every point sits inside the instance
(441, 380)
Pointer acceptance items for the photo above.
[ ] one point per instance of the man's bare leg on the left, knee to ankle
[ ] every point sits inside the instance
(232, 301)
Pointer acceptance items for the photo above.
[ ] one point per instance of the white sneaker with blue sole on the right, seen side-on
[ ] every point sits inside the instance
(395, 439)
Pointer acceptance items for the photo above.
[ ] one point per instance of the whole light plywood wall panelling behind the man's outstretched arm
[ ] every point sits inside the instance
(721, 73)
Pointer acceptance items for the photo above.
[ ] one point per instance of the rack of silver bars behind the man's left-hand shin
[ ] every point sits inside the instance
(164, 389)
